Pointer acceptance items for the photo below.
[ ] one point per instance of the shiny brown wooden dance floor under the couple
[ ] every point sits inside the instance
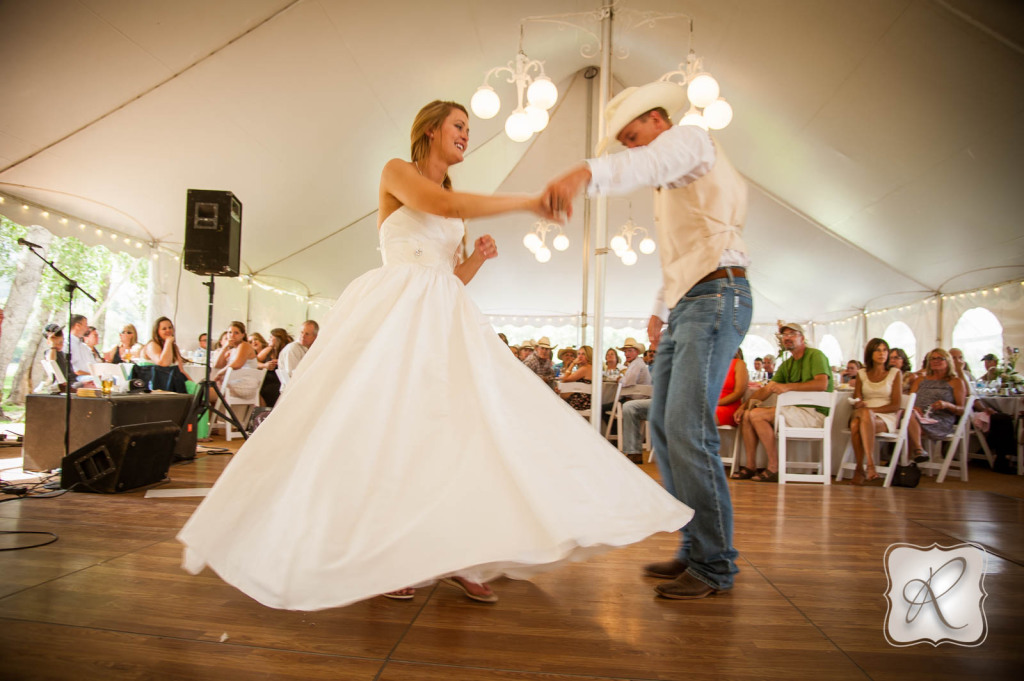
(109, 601)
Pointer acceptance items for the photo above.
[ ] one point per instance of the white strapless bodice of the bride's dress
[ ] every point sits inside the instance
(409, 237)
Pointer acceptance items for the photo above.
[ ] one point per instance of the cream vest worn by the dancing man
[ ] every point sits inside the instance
(696, 223)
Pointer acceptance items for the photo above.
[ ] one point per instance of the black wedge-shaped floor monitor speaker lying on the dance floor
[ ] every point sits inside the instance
(126, 458)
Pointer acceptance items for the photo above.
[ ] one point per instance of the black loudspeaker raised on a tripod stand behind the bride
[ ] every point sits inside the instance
(214, 233)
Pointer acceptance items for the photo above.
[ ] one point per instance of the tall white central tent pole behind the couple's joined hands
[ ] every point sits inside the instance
(602, 227)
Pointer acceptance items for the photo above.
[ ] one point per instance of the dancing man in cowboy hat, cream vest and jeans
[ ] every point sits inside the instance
(700, 210)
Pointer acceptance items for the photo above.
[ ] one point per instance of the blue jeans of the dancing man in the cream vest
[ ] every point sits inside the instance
(694, 356)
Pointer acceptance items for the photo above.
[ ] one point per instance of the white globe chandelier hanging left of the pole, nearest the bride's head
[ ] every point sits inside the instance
(541, 96)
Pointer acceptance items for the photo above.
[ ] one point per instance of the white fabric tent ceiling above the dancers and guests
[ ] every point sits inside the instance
(882, 139)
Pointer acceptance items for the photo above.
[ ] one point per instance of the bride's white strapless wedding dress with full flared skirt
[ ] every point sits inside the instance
(411, 445)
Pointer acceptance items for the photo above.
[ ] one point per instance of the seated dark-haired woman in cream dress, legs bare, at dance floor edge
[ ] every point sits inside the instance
(878, 394)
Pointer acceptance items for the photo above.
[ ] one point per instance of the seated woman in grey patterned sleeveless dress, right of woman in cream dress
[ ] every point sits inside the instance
(942, 396)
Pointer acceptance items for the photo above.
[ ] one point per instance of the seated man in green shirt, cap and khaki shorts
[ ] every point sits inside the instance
(807, 370)
